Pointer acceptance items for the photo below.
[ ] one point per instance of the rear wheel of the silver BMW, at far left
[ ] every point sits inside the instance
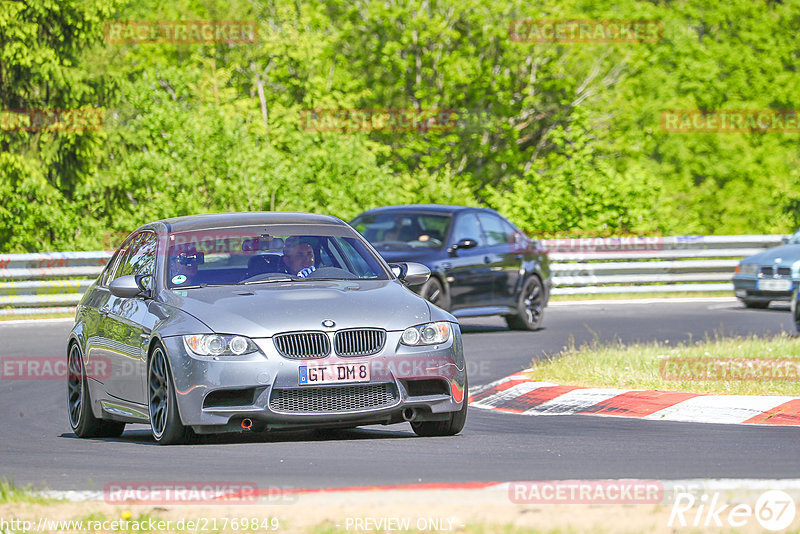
(79, 405)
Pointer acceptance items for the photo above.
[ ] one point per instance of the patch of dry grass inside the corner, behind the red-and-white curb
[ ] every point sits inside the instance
(638, 366)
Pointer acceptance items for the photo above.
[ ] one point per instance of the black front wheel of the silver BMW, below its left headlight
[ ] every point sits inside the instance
(164, 418)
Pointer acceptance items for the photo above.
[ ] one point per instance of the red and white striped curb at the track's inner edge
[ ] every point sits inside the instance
(521, 395)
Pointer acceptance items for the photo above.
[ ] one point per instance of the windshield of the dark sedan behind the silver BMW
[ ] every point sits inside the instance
(404, 230)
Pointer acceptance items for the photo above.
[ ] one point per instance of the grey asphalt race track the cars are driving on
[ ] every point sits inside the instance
(37, 447)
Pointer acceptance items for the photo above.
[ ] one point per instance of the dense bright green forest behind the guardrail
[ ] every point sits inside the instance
(563, 138)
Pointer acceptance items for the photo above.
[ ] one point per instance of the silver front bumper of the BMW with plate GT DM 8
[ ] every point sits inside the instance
(215, 395)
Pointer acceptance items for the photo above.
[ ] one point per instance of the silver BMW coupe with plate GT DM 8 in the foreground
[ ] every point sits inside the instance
(247, 322)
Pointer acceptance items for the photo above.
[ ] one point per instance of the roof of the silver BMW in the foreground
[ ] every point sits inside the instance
(254, 218)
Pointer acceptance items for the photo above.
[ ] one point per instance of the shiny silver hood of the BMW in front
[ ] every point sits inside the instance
(261, 310)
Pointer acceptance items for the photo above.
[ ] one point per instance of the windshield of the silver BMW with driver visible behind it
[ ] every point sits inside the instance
(258, 255)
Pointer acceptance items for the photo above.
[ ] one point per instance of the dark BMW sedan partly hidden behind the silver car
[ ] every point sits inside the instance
(481, 264)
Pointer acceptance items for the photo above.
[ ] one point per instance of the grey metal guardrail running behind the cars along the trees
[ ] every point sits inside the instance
(54, 282)
